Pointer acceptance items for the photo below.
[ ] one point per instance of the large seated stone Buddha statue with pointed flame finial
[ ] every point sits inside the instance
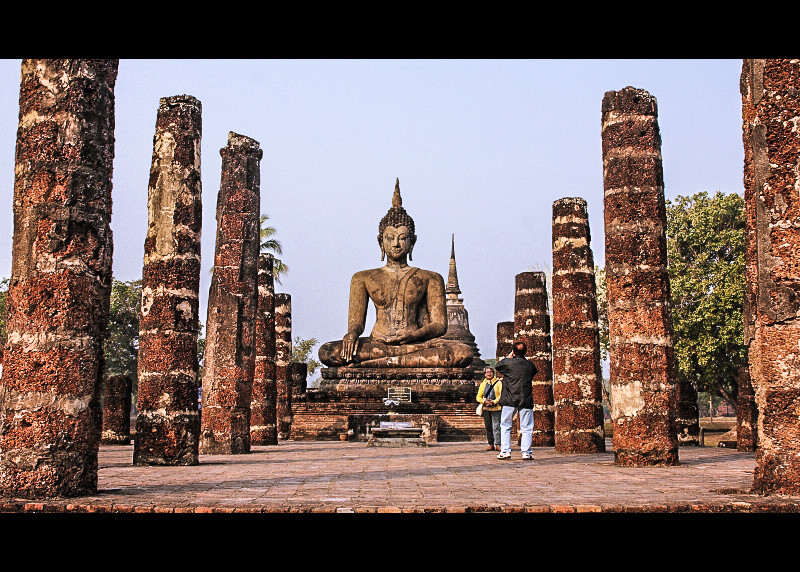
(411, 313)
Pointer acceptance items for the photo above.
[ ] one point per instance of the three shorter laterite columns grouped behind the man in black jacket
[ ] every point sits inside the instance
(567, 389)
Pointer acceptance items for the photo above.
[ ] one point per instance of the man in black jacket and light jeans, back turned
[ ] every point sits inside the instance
(517, 396)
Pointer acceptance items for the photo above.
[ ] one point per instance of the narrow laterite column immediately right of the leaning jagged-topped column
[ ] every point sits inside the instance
(263, 426)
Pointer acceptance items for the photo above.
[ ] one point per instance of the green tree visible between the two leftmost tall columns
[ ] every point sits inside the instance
(121, 346)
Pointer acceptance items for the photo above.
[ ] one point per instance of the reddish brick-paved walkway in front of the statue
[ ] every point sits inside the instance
(337, 477)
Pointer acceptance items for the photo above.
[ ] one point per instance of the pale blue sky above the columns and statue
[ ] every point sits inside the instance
(482, 148)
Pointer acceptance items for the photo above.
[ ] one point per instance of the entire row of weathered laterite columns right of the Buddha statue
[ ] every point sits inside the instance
(651, 412)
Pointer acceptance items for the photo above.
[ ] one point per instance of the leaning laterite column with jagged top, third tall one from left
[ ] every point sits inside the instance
(229, 364)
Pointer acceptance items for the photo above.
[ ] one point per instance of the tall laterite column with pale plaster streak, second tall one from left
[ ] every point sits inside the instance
(168, 423)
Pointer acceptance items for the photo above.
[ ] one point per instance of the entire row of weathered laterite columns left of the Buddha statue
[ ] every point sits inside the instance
(58, 302)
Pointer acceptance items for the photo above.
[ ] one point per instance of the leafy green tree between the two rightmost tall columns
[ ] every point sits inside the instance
(705, 249)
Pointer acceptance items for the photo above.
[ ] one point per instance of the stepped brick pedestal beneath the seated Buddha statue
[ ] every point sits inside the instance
(351, 399)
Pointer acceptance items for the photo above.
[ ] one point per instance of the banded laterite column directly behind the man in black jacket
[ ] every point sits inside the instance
(532, 325)
